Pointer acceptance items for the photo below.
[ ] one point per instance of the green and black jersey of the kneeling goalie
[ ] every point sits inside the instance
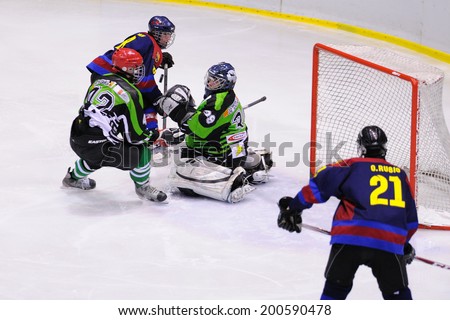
(217, 129)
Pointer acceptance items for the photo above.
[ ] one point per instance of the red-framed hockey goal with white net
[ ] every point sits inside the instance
(356, 86)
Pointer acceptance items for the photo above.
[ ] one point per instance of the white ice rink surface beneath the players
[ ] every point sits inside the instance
(107, 244)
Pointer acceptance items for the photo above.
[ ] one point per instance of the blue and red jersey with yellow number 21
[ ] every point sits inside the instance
(376, 210)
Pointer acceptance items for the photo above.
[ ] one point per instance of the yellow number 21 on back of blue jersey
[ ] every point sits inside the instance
(382, 184)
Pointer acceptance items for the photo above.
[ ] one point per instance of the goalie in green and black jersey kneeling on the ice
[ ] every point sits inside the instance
(216, 156)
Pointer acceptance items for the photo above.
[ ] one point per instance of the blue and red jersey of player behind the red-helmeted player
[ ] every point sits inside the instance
(151, 53)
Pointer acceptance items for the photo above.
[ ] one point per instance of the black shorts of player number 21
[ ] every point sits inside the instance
(388, 268)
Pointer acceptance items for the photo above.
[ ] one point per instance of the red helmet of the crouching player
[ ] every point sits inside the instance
(129, 63)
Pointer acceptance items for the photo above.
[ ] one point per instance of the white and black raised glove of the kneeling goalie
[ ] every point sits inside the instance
(177, 103)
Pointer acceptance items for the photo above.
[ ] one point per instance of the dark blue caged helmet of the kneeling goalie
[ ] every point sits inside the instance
(220, 77)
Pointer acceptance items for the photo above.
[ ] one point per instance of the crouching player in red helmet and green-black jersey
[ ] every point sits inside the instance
(110, 130)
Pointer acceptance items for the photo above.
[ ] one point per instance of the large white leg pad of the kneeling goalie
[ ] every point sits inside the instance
(210, 180)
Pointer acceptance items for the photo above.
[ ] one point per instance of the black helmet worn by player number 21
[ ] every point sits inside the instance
(372, 142)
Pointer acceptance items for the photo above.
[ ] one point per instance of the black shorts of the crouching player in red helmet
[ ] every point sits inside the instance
(91, 145)
